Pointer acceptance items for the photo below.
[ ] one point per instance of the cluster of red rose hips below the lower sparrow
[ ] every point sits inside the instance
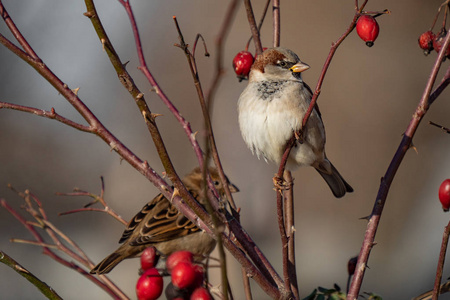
(187, 278)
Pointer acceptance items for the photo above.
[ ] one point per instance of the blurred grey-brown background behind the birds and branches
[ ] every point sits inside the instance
(367, 101)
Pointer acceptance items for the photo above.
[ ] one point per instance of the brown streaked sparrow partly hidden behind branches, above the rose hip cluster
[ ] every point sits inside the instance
(159, 224)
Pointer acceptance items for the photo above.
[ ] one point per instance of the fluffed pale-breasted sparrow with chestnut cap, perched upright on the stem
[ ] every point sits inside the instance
(271, 109)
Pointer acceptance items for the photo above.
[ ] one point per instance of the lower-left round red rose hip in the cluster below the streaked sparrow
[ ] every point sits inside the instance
(149, 285)
